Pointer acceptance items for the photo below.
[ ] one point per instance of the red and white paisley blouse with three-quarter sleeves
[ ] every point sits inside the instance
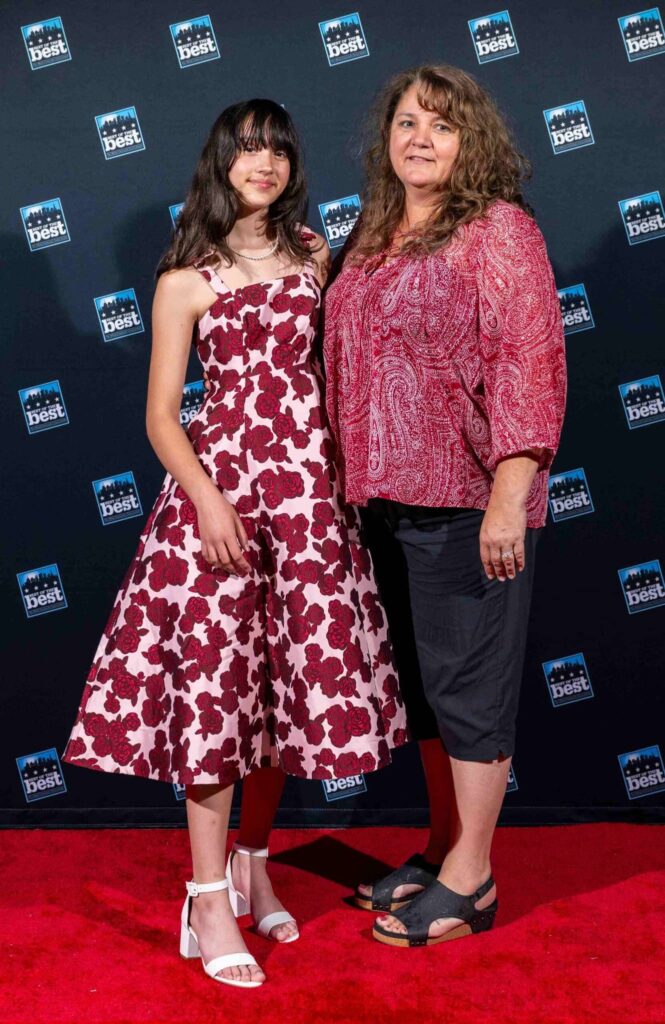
(440, 367)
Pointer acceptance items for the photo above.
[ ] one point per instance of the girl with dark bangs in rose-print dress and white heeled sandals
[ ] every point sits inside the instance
(247, 641)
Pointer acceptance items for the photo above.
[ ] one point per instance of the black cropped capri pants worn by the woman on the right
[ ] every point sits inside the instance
(459, 638)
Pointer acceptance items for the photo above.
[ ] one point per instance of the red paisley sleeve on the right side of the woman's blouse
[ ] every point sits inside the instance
(521, 338)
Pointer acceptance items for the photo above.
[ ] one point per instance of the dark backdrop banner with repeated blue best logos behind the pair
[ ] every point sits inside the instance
(106, 112)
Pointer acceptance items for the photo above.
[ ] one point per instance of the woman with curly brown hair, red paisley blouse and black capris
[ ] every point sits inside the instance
(445, 358)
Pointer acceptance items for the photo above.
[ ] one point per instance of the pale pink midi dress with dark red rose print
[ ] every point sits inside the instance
(200, 677)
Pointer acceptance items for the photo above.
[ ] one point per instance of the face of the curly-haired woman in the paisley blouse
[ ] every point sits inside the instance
(424, 146)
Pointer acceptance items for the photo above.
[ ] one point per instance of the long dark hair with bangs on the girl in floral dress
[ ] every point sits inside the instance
(213, 205)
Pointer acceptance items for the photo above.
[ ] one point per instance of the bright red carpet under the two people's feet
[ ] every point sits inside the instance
(91, 922)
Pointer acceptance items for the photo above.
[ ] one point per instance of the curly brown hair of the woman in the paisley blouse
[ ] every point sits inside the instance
(488, 167)
